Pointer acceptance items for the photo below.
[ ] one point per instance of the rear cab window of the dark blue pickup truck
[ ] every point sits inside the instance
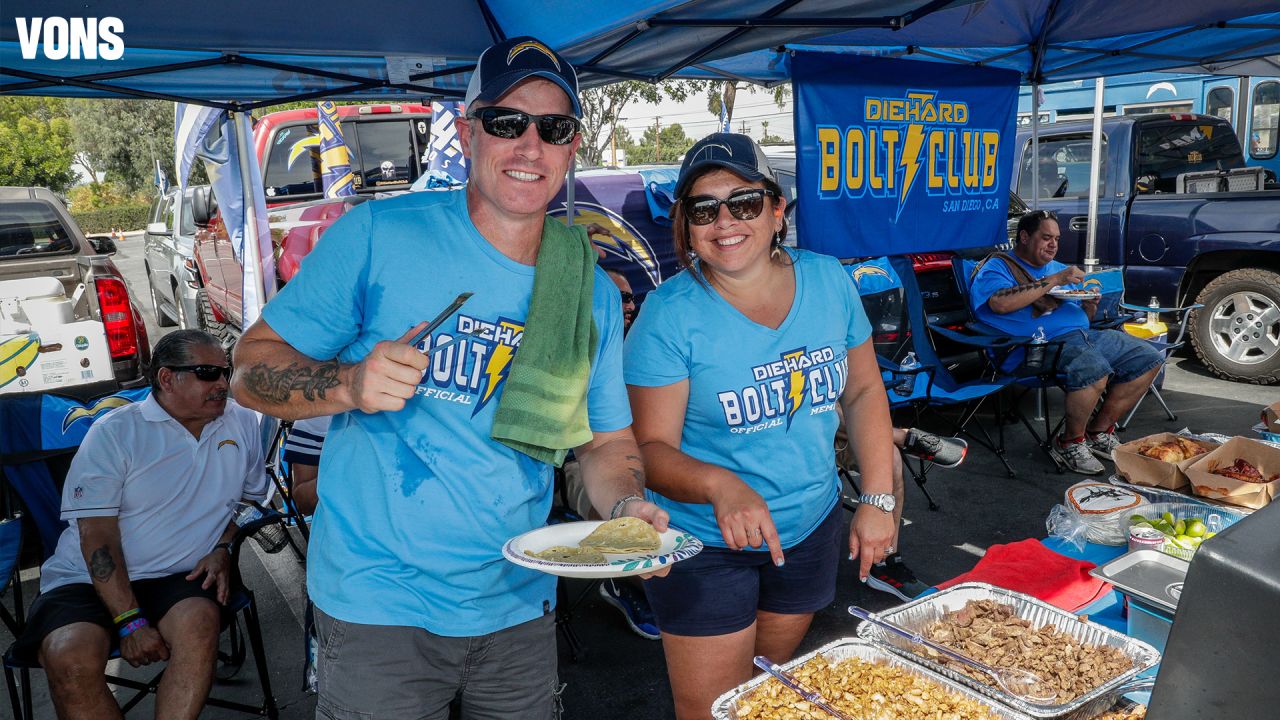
(1169, 151)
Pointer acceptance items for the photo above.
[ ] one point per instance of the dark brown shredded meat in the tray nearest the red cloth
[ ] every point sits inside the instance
(990, 632)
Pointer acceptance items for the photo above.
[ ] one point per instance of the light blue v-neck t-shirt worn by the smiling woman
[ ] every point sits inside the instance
(762, 403)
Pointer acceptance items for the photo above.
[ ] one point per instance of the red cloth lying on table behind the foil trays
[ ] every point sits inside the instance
(1030, 568)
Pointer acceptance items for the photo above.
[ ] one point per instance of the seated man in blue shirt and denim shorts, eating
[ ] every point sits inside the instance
(1012, 294)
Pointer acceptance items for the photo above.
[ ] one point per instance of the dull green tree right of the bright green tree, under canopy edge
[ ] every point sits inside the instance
(124, 139)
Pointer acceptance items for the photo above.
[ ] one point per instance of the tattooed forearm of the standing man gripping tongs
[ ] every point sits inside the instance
(277, 380)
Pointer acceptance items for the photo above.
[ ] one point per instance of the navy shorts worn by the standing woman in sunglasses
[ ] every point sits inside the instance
(720, 591)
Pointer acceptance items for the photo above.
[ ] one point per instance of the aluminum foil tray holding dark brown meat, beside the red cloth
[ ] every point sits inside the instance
(920, 614)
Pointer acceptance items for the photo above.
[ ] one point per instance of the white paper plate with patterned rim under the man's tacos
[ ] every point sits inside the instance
(676, 545)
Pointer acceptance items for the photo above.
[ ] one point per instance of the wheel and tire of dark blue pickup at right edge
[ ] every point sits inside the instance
(1237, 335)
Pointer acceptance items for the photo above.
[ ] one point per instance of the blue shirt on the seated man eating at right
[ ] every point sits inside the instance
(995, 276)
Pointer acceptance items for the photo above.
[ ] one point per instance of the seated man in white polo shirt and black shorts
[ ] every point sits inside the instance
(144, 564)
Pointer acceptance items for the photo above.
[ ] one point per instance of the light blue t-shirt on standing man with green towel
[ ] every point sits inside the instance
(417, 505)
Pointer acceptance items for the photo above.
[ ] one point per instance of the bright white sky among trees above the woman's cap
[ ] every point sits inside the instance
(749, 108)
